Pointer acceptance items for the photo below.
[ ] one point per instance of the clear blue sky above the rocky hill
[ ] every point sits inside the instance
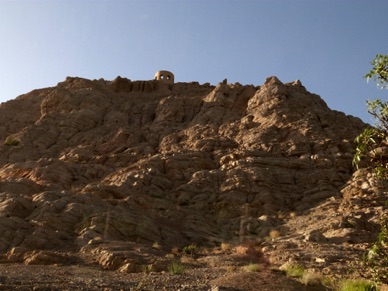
(327, 44)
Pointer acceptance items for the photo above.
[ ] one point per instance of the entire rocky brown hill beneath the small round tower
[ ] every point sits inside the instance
(124, 174)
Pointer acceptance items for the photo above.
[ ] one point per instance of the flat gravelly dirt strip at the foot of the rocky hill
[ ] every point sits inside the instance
(28, 277)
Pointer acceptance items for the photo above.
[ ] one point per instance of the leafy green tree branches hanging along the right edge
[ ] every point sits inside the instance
(371, 150)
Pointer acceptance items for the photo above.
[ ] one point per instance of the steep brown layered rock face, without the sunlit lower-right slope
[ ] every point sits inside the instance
(148, 162)
